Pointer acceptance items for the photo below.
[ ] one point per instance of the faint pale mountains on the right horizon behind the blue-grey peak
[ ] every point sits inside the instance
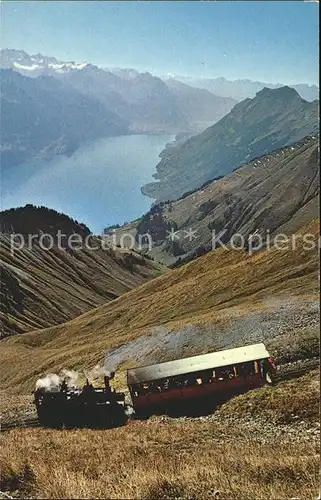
(242, 89)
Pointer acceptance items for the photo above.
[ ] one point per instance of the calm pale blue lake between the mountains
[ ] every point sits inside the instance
(98, 185)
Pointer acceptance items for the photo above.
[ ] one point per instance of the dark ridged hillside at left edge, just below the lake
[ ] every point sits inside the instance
(41, 287)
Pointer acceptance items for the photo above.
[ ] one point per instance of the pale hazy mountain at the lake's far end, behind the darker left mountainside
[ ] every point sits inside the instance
(148, 103)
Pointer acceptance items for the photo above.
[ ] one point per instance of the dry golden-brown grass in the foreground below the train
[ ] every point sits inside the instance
(156, 461)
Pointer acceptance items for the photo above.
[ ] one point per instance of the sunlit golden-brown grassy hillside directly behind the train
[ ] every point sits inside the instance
(213, 289)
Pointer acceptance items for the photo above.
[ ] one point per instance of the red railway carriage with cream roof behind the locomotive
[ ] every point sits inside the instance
(194, 382)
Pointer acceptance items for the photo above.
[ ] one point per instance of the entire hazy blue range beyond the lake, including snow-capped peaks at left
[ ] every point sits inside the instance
(51, 106)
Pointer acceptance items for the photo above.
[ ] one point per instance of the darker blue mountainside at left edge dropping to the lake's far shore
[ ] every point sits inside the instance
(43, 116)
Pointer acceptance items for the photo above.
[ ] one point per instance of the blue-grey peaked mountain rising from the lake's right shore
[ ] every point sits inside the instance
(271, 120)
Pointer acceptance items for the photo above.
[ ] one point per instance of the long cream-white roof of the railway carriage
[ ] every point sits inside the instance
(197, 363)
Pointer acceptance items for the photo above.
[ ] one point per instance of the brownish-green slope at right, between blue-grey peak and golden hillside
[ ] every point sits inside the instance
(277, 192)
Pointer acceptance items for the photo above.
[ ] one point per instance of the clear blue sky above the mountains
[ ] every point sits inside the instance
(261, 40)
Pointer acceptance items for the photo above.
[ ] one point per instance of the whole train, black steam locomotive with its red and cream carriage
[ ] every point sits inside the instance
(188, 385)
